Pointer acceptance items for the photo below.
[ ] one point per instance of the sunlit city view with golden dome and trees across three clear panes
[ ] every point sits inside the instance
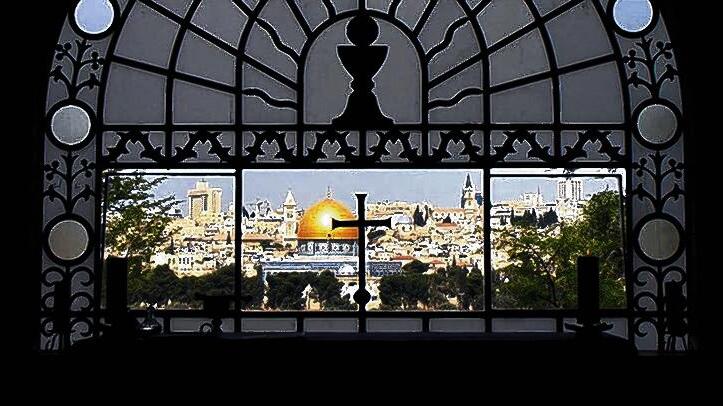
(432, 257)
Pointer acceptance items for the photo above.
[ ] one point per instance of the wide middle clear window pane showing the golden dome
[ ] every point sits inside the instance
(429, 259)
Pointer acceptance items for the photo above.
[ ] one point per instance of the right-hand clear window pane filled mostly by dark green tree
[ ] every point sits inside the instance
(541, 225)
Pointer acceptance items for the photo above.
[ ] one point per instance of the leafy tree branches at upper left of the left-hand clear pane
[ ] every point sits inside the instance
(137, 222)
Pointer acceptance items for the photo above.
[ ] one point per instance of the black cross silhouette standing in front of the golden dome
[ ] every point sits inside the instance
(361, 296)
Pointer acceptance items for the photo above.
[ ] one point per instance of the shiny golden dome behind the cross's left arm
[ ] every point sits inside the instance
(316, 222)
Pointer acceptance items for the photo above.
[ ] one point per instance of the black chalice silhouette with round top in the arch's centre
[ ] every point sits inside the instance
(363, 61)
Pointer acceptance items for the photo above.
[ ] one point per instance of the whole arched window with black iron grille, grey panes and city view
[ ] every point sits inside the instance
(251, 93)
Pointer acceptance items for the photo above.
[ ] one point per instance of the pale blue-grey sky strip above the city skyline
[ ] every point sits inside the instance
(439, 187)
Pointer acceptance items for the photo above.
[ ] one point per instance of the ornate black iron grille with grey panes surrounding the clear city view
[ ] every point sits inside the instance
(98, 68)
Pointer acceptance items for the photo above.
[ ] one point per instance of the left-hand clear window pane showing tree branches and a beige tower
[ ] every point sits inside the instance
(177, 232)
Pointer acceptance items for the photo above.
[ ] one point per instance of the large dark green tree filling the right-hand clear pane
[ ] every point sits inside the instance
(543, 262)
